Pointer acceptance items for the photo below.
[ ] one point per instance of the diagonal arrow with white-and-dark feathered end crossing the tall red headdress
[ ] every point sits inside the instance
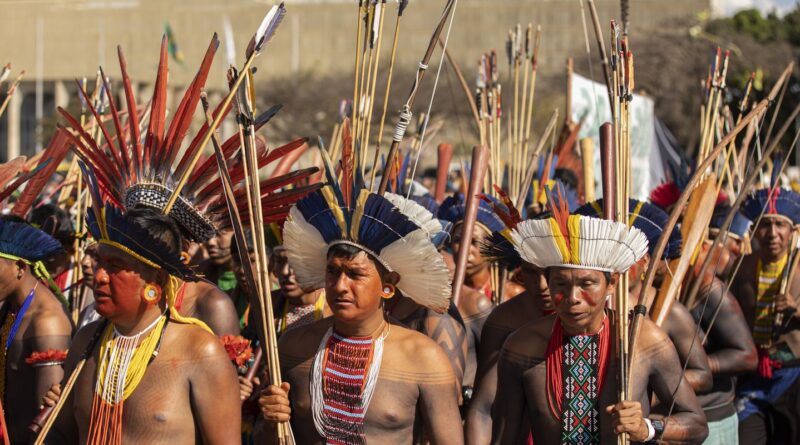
(264, 33)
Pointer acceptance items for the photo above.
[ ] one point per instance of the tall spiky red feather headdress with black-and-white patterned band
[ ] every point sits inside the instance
(132, 170)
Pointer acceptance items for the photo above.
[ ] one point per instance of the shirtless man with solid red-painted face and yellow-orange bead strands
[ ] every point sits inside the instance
(189, 392)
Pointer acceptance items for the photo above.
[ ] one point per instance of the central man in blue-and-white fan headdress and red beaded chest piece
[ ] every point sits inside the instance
(356, 378)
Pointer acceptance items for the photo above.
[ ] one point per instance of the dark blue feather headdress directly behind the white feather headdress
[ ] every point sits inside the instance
(646, 217)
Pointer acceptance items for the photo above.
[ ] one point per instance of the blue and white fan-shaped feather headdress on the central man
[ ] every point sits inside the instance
(396, 236)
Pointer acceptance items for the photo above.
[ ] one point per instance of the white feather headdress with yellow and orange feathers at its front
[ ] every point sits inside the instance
(578, 241)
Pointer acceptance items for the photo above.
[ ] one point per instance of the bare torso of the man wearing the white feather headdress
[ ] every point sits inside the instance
(523, 376)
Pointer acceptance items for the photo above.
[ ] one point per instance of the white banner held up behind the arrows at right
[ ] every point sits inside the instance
(591, 99)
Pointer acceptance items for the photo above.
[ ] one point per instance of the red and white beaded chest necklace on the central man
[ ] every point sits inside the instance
(343, 380)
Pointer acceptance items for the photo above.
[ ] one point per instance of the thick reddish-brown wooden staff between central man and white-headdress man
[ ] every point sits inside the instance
(480, 162)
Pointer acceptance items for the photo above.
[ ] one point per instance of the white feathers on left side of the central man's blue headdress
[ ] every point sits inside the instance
(306, 250)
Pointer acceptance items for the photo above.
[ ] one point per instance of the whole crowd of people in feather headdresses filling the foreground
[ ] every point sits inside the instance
(133, 306)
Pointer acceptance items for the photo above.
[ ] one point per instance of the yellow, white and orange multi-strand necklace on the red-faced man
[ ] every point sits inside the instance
(121, 366)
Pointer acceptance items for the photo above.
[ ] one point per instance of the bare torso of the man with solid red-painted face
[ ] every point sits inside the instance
(189, 393)
